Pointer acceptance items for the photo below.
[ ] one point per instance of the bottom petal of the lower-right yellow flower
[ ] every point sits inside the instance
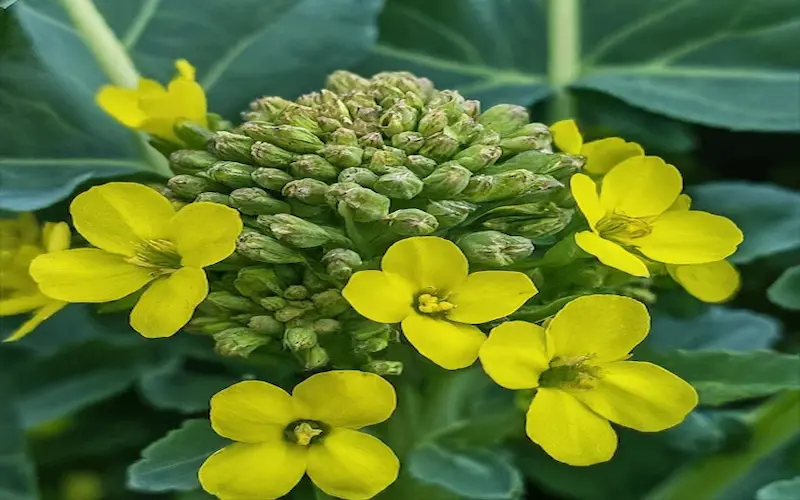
(569, 431)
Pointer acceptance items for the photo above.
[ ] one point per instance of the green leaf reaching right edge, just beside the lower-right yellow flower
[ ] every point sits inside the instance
(722, 377)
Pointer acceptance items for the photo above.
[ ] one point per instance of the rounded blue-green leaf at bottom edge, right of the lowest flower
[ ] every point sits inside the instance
(471, 474)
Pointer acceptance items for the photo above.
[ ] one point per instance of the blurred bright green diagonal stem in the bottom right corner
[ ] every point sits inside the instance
(773, 426)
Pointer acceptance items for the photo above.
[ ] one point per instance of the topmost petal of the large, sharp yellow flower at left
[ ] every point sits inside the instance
(117, 216)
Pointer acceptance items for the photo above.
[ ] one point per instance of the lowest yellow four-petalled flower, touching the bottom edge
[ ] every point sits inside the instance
(315, 431)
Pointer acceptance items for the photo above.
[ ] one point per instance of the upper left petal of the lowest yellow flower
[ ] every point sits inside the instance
(247, 411)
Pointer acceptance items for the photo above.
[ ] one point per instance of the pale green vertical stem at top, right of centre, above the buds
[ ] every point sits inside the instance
(564, 55)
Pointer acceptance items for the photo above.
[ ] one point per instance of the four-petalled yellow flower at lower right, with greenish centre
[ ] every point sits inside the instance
(577, 365)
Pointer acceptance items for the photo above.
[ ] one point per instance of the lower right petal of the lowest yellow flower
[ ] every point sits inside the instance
(352, 465)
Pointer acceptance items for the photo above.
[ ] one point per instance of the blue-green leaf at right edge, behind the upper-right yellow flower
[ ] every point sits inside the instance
(768, 215)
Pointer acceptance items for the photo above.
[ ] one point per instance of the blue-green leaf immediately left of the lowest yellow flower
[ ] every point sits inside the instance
(172, 462)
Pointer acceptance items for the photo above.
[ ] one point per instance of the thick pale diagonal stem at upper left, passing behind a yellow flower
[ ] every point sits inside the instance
(114, 61)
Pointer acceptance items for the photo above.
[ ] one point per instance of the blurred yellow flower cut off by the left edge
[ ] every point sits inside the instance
(20, 242)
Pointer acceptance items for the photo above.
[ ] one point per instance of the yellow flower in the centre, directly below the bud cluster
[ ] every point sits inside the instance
(424, 284)
